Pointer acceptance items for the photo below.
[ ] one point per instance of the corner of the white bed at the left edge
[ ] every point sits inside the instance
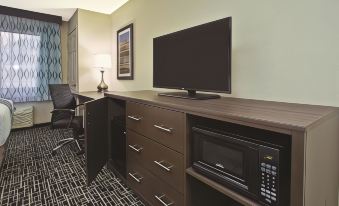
(6, 113)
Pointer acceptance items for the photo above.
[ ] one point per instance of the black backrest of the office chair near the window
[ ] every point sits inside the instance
(62, 96)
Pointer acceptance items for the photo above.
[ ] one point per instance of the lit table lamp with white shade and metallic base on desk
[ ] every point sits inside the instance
(102, 61)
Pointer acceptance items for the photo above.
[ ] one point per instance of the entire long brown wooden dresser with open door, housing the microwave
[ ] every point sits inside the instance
(157, 140)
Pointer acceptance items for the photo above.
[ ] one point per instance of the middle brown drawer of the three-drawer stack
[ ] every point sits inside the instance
(163, 162)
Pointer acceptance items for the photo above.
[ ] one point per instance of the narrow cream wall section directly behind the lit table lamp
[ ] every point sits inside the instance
(94, 36)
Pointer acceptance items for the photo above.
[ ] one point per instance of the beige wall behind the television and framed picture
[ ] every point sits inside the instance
(282, 50)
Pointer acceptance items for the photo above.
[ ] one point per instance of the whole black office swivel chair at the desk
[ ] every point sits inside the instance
(63, 115)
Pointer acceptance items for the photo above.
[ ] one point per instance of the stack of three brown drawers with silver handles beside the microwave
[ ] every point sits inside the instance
(155, 159)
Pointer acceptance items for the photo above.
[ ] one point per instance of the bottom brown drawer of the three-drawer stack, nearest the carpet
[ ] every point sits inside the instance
(153, 190)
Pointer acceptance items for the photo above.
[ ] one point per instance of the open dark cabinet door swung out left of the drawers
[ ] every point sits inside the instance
(96, 137)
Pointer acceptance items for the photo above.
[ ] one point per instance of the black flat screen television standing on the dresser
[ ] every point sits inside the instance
(194, 59)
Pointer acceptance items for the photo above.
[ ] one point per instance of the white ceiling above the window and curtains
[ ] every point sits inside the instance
(64, 8)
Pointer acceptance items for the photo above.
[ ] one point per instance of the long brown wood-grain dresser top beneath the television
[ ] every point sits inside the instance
(277, 114)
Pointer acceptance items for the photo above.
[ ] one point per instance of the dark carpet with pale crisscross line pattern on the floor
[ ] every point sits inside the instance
(32, 176)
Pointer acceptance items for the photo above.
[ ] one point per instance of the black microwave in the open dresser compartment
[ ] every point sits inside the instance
(256, 169)
